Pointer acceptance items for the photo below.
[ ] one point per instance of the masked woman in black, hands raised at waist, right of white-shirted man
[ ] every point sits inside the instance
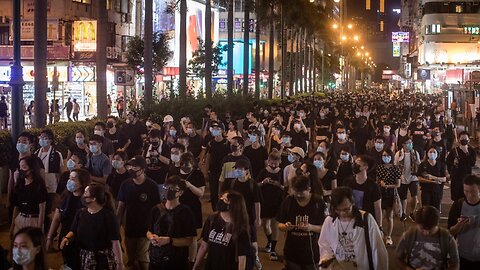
(432, 177)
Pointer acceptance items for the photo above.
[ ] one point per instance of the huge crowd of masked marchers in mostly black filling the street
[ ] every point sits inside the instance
(327, 173)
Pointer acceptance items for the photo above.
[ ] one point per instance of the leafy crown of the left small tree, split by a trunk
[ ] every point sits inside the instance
(161, 52)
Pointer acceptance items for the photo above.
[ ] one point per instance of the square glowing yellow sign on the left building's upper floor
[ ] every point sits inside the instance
(85, 36)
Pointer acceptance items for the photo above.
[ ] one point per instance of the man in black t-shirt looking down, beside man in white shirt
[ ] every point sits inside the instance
(301, 216)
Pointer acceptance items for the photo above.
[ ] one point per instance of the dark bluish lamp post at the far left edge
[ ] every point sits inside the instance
(16, 78)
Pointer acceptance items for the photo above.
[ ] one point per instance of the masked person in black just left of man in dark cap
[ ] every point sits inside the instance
(119, 173)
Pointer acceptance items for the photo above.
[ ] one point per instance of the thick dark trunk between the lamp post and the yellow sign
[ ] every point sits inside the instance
(40, 64)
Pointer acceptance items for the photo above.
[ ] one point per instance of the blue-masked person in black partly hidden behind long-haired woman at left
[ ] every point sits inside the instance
(70, 203)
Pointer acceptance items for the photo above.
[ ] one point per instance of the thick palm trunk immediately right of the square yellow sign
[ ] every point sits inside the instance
(101, 58)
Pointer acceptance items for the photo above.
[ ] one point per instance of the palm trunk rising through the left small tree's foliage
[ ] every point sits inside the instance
(148, 54)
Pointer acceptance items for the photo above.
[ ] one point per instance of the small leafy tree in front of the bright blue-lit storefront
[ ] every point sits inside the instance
(197, 65)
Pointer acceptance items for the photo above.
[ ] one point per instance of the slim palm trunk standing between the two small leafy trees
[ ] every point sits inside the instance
(182, 89)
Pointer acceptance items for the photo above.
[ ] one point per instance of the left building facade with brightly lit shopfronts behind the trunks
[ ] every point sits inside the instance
(71, 45)
